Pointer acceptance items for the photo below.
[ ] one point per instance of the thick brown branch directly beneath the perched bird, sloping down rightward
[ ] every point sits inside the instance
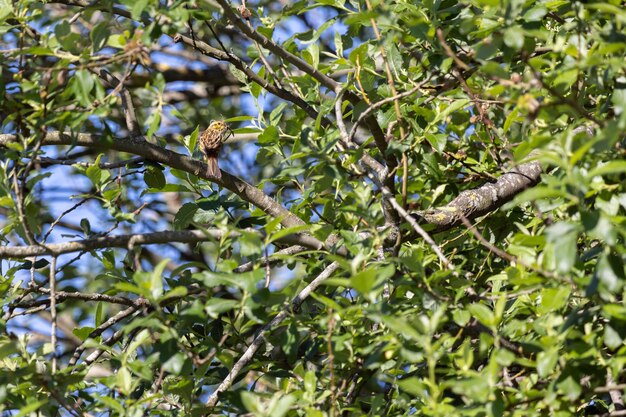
(172, 159)
